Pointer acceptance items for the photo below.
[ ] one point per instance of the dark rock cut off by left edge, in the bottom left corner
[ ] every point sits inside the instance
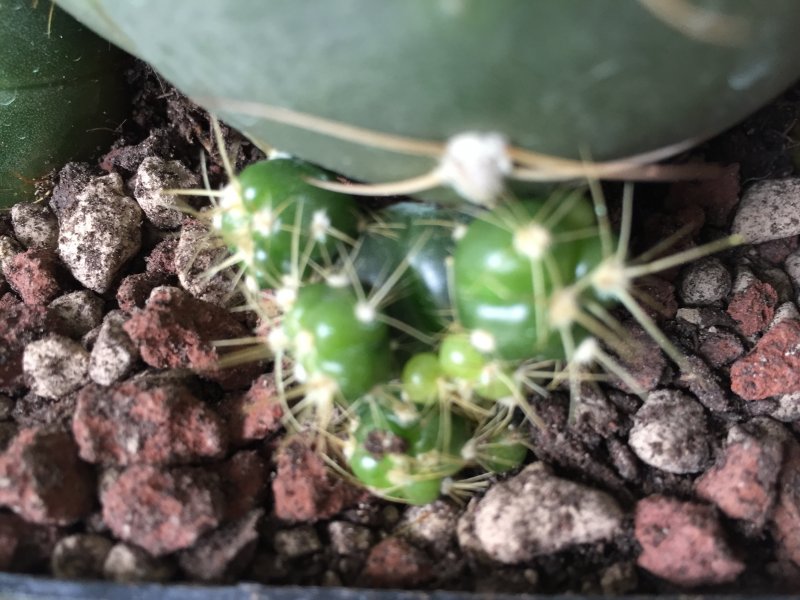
(24, 546)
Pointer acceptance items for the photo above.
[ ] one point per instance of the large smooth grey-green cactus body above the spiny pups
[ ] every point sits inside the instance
(565, 76)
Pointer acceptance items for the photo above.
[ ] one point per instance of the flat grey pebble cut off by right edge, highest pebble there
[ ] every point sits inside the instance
(769, 210)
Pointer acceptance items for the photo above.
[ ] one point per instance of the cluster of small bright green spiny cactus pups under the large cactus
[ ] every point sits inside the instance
(411, 339)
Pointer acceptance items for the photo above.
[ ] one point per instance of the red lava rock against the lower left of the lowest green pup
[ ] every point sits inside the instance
(303, 488)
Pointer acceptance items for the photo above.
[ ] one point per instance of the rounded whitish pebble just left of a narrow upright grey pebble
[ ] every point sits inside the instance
(55, 366)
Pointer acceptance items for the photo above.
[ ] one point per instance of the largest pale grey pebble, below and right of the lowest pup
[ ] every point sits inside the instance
(536, 513)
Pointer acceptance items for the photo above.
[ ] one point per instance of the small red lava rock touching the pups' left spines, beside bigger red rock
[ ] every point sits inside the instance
(255, 414)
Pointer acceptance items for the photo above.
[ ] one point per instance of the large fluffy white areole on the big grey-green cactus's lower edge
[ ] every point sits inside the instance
(475, 165)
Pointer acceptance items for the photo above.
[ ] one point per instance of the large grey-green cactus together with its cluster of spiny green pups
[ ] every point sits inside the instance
(514, 298)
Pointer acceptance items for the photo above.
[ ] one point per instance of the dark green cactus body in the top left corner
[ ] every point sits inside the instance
(60, 94)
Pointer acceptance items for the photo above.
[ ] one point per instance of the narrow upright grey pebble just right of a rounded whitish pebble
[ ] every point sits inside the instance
(114, 354)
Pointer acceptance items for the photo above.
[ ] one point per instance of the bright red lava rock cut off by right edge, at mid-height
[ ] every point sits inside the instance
(772, 366)
